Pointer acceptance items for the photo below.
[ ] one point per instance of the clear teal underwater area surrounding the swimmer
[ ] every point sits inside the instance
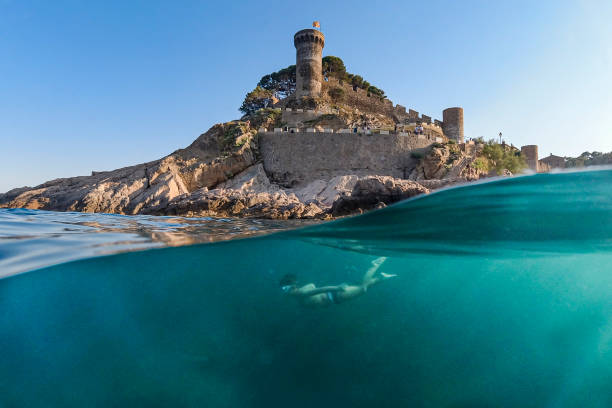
(503, 298)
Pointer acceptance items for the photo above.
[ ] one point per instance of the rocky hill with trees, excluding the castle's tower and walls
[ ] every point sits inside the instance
(221, 174)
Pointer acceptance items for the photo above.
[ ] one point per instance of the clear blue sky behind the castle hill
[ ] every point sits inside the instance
(99, 85)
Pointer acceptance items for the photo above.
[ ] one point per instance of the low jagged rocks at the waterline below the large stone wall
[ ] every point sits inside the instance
(250, 194)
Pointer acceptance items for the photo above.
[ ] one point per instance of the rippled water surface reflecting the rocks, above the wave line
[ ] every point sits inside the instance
(31, 239)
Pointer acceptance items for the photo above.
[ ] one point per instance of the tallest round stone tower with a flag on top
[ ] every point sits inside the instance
(309, 45)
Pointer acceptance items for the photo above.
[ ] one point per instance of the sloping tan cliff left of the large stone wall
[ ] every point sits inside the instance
(211, 159)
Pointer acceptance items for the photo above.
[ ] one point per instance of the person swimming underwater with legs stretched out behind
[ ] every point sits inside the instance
(310, 295)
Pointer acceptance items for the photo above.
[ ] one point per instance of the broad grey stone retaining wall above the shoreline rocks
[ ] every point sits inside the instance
(293, 158)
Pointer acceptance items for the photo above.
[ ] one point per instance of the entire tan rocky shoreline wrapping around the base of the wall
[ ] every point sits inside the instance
(220, 174)
